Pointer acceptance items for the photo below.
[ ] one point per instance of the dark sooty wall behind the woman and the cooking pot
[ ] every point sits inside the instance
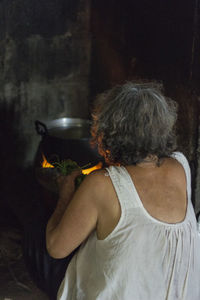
(56, 56)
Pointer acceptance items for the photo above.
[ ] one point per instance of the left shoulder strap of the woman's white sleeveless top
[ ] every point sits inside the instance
(123, 186)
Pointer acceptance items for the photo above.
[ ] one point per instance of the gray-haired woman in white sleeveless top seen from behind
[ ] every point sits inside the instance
(134, 220)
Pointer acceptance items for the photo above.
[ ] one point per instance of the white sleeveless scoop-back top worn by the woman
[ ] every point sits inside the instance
(142, 258)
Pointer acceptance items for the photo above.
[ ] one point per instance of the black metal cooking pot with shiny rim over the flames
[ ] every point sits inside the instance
(67, 138)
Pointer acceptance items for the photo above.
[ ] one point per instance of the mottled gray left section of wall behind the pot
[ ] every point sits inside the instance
(44, 68)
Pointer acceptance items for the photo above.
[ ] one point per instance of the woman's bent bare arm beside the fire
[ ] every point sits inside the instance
(74, 218)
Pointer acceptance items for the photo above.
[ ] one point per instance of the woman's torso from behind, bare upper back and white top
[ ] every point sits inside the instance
(142, 255)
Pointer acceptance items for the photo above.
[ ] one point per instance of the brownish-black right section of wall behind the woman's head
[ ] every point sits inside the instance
(152, 40)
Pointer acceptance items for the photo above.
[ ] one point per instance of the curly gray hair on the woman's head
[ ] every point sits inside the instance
(134, 121)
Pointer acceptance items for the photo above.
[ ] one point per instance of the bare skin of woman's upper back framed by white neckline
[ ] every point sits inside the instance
(162, 190)
